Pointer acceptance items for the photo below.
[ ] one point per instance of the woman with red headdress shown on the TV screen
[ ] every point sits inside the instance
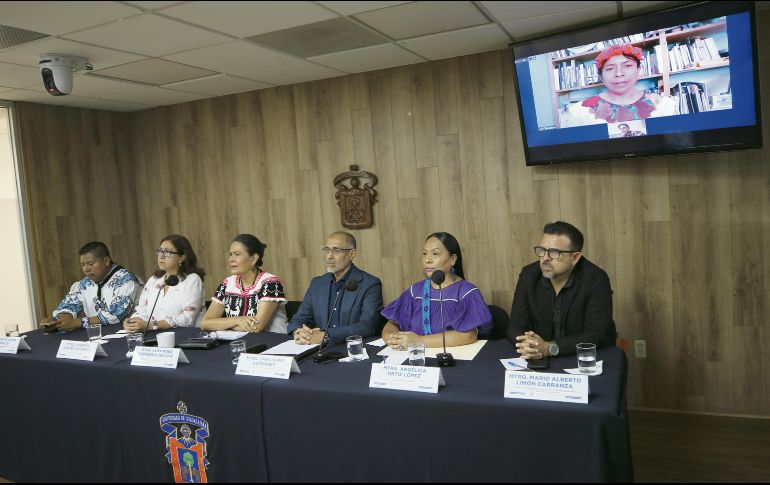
(622, 100)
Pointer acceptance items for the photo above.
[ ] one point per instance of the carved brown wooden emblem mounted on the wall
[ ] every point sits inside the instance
(356, 202)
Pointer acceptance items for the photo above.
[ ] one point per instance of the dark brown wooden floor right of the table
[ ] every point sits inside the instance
(674, 447)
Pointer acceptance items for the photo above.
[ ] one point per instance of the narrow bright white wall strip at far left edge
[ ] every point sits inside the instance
(15, 296)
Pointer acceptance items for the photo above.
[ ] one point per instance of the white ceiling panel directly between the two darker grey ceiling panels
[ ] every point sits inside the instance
(229, 57)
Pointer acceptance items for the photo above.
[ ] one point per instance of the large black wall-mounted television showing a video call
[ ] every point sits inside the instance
(678, 81)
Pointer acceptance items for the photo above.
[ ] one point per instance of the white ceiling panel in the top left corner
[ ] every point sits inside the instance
(55, 18)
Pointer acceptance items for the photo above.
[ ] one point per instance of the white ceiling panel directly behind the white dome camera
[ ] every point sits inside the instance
(100, 58)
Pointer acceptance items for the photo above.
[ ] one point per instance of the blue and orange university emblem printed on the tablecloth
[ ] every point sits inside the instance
(186, 444)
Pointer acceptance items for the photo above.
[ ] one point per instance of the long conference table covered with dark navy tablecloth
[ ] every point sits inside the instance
(100, 421)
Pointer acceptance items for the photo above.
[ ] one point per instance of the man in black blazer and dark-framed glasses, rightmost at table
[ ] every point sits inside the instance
(561, 300)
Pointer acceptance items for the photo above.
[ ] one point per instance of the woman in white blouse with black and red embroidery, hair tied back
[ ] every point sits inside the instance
(249, 300)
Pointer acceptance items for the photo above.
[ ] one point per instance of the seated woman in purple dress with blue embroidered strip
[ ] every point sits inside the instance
(416, 314)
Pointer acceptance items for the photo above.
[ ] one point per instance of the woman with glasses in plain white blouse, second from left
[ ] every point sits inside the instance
(178, 306)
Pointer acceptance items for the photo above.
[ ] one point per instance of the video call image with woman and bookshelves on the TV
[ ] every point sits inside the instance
(671, 71)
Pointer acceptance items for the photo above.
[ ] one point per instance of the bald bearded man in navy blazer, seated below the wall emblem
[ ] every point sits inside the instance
(345, 301)
